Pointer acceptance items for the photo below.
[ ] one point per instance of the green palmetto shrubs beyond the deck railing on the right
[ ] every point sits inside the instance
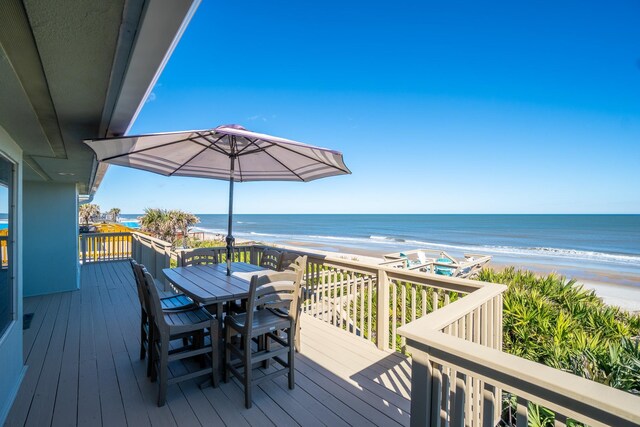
(556, 322)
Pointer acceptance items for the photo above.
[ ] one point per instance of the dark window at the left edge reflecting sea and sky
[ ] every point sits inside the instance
(7, 305)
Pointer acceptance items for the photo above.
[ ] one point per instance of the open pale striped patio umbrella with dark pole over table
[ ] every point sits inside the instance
(230, 152)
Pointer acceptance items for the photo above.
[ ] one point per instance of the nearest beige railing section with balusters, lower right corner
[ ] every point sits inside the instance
(455, 381)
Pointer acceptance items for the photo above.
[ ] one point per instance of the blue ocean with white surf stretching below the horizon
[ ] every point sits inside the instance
(611, 242)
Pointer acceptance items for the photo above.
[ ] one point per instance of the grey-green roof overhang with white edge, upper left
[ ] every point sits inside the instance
(72, 70)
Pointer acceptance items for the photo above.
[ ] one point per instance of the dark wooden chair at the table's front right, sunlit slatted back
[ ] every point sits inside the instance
(271, 307)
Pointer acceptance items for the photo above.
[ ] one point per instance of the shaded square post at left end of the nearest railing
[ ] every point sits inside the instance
(421, 379)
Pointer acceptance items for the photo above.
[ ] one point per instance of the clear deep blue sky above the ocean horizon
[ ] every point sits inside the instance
(438, 107)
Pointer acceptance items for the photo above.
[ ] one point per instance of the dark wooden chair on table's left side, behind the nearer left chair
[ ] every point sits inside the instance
(173, 303)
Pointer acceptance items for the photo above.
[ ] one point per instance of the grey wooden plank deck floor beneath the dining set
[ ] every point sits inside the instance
(82, 351)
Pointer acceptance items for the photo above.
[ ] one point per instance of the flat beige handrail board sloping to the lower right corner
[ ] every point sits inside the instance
(601, 404)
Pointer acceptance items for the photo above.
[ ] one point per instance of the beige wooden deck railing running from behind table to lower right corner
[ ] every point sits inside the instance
(451, 327)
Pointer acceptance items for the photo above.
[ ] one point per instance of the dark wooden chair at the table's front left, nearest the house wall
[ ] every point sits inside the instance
(197, 325)
